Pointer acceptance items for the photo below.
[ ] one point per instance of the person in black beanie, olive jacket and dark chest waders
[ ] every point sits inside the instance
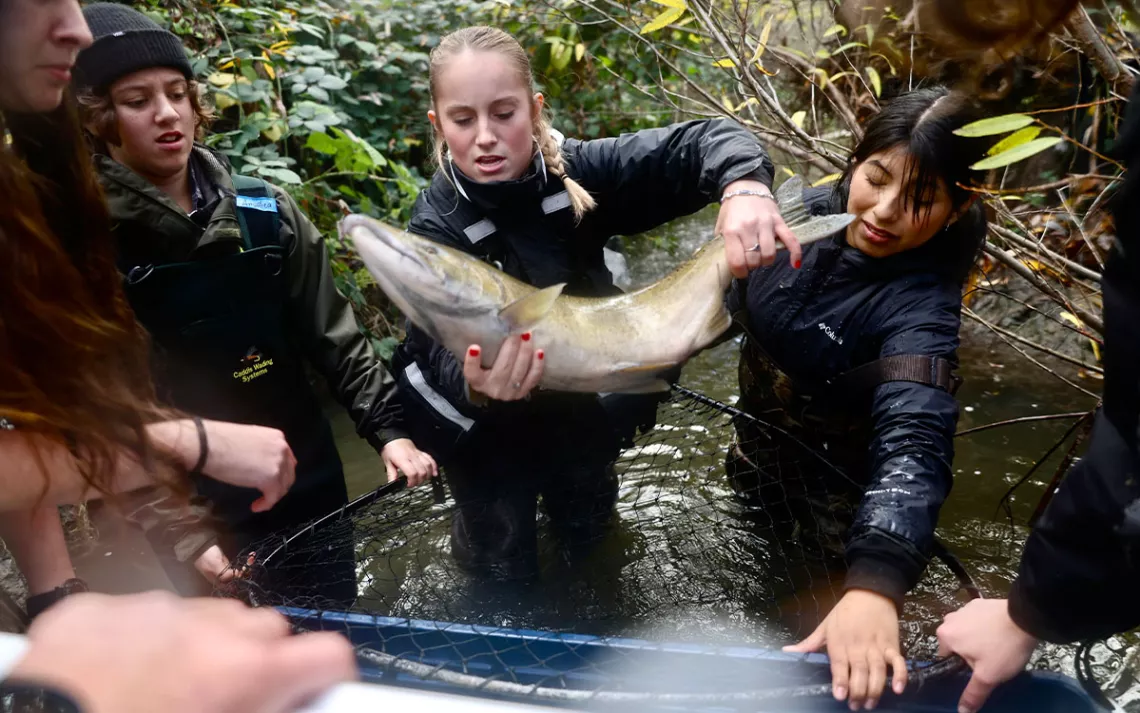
(233, 282)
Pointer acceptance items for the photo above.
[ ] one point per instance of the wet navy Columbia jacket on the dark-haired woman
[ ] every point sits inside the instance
(843, 310)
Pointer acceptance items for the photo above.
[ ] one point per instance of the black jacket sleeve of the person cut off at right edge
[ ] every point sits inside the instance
(1080, 574)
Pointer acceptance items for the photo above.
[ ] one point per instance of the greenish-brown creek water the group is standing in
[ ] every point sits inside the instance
(661, 576)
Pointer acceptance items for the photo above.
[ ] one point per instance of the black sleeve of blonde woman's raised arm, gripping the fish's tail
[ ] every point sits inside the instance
(648, 179)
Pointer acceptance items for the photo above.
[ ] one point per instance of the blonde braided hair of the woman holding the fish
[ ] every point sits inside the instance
(494, 40)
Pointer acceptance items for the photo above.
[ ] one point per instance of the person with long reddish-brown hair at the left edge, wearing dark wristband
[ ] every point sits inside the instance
(78, 417)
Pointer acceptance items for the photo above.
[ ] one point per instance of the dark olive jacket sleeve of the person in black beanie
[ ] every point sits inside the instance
(328, 330)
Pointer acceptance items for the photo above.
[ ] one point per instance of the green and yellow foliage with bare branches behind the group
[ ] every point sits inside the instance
(329, 99)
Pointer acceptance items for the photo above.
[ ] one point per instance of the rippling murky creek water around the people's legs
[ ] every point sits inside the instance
(687, 593)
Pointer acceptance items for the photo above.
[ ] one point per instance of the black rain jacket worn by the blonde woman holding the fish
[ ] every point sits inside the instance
(640, 181)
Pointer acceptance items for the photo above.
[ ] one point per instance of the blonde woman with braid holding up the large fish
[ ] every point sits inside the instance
(511, 192)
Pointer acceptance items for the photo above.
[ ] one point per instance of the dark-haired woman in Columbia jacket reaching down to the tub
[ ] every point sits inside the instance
(853, 356)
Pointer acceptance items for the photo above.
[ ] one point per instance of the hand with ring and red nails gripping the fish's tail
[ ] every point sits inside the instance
(752, 224)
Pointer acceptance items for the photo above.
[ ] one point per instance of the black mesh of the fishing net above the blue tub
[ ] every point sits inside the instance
(688, 555)
